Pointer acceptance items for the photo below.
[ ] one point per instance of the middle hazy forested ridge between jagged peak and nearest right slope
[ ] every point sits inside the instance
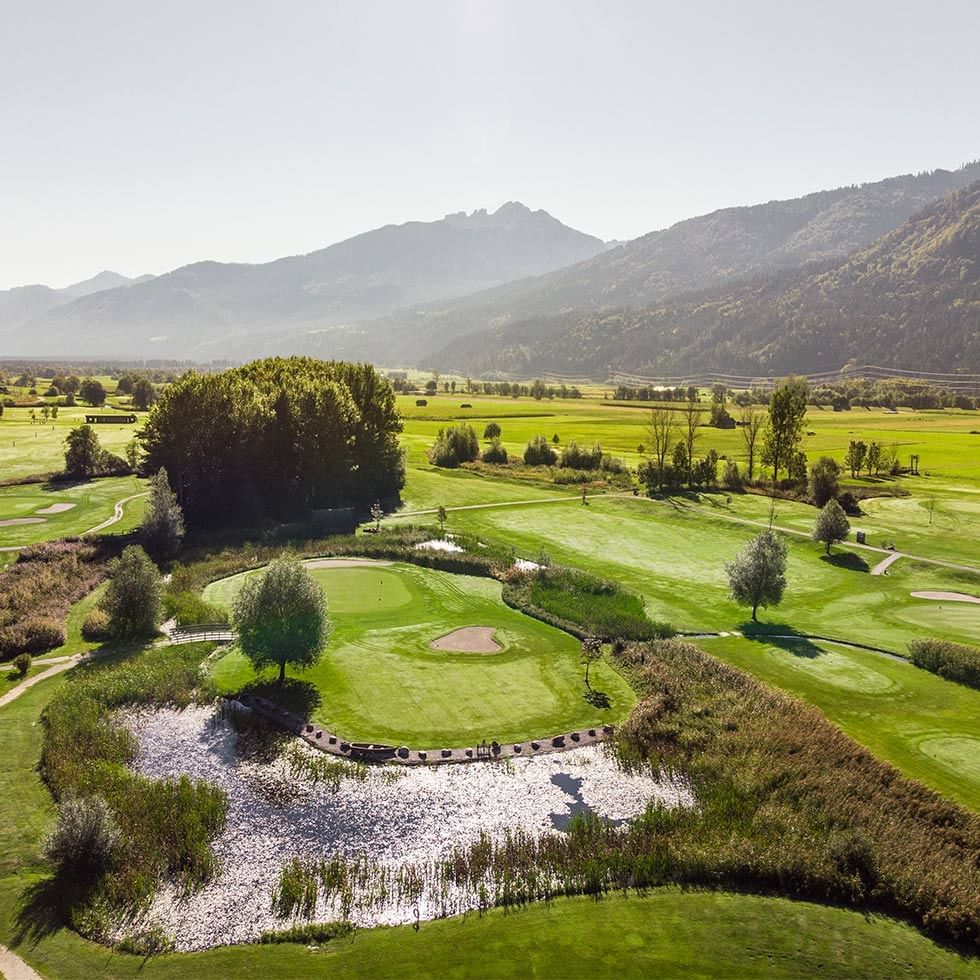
(702, 252)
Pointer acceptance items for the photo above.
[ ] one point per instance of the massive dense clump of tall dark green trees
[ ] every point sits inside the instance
(276, 438)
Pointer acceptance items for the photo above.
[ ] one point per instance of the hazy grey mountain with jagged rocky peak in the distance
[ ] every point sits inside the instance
(211, 306)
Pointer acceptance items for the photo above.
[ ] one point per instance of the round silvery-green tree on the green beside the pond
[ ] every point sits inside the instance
(281, 617)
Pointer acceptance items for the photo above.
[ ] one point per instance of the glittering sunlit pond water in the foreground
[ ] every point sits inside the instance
(412, 817)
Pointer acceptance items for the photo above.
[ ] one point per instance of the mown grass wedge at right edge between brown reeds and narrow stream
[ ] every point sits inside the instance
(926, 726)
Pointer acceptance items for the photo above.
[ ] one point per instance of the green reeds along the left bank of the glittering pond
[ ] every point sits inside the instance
(165, 826)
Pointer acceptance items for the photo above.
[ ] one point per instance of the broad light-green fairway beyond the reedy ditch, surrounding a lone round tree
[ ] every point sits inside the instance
(674, 556)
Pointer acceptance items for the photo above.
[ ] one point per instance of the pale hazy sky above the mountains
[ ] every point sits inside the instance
(140, 136)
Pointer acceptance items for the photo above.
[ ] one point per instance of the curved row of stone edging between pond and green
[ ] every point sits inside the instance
(402, 755)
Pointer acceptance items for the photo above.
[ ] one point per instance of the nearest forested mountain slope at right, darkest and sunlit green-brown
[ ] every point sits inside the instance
(910, 300)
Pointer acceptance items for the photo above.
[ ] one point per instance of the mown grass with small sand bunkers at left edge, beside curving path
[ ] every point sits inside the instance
(76, 507)
